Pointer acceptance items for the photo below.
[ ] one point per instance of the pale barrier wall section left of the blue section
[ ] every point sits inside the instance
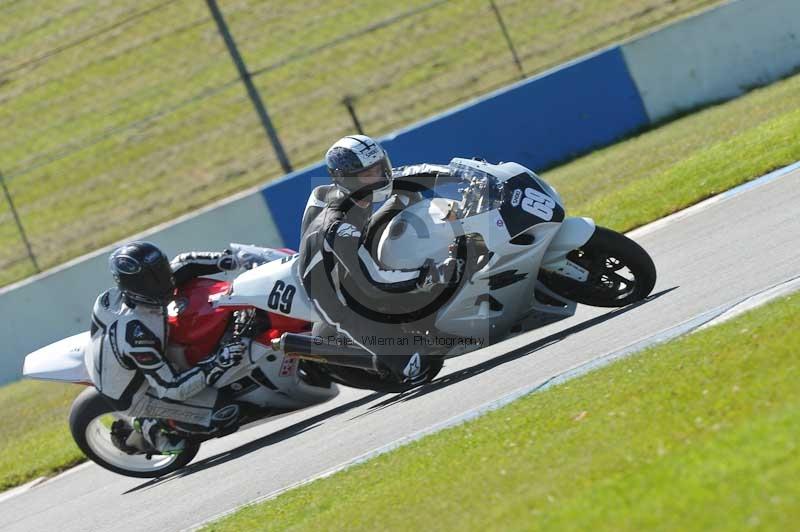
(58, 303)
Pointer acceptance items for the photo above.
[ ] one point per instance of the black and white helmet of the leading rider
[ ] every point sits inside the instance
(353, 160)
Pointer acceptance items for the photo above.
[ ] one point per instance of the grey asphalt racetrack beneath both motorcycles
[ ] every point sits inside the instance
(731, 249)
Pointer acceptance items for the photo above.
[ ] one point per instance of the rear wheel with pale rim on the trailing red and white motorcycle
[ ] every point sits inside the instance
(90, 421)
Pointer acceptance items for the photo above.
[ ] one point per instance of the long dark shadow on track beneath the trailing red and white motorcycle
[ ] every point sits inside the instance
(265, 441)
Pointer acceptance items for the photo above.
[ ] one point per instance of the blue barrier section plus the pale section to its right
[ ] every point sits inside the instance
(593, 101)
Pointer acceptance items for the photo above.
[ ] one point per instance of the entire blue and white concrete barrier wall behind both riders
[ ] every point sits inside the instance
(572, 109)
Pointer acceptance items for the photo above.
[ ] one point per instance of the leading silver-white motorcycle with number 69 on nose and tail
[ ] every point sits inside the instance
(526, 265)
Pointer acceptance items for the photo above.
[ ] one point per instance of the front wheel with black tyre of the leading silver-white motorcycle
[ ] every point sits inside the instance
(605, 255)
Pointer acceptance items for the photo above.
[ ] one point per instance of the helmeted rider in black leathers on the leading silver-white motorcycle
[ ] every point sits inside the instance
(346, 284)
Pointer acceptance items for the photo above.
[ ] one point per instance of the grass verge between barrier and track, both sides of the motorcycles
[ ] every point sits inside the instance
(622, 186)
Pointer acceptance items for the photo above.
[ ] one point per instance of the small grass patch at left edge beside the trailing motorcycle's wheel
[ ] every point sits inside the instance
(35, 440)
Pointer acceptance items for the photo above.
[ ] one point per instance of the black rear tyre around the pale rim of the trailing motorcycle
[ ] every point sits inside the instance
(88, 407)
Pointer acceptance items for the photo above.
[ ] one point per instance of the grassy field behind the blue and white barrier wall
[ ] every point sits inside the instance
(147, 121)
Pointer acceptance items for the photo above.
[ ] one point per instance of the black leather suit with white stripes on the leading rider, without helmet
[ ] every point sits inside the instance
(371, 305)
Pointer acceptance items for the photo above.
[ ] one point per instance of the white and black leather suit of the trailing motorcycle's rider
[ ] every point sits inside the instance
(129, 361)
